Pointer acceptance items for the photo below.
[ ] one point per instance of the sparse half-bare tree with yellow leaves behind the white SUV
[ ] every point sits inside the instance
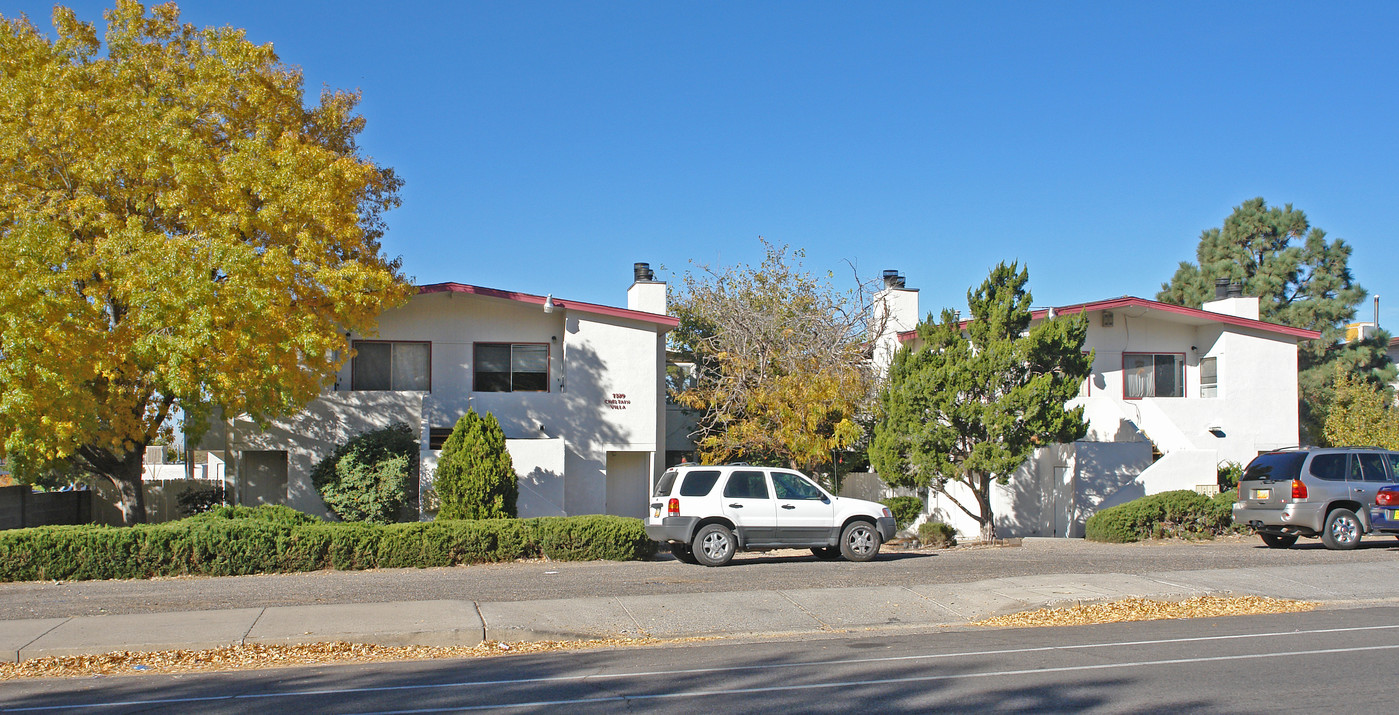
(781, 367)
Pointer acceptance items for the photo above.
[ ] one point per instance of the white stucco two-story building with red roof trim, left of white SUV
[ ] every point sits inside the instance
(578, 390)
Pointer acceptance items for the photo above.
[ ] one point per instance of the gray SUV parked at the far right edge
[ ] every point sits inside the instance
(1321, 492)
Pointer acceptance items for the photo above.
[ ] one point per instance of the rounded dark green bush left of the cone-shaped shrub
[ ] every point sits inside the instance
(367, 479)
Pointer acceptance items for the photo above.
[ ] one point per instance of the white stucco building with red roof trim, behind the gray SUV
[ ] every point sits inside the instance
(1173, 394)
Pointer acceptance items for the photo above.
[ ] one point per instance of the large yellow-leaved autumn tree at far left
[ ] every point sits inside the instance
(181, 233)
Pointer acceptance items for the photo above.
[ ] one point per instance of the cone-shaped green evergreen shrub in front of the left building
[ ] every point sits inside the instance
(475, 476)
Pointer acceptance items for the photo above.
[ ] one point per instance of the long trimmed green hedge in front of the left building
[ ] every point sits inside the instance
(237, 541)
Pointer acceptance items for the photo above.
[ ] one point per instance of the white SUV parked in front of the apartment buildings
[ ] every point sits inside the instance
(710, 513)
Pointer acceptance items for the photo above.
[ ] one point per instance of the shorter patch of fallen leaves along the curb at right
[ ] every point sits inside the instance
(1148, 611)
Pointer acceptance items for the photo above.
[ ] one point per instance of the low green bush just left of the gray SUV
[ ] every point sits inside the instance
(1170, 514)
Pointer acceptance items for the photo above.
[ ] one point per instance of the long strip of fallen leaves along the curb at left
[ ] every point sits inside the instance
(261, 656)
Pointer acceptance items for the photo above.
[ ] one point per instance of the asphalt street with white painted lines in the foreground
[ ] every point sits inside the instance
(1302, 663)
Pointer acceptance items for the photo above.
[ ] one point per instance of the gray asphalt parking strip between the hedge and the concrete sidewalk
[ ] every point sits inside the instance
(545, 580)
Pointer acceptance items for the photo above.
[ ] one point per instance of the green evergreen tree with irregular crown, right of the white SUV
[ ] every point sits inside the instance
(972, 405)
